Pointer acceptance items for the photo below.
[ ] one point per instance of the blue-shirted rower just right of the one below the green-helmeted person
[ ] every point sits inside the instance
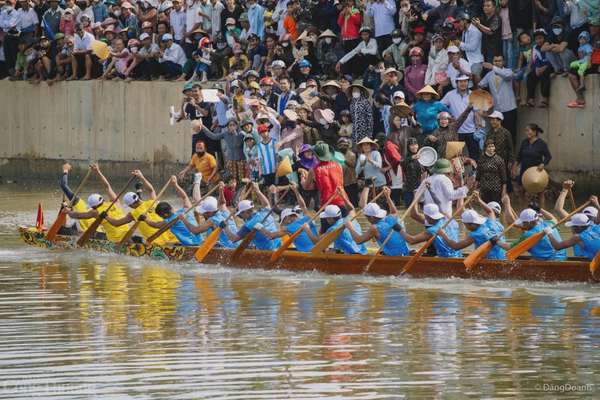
(479, 233)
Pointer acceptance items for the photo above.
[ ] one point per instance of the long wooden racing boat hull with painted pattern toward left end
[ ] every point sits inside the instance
(425, 267)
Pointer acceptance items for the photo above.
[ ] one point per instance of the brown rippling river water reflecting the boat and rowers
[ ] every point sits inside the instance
(78, 325)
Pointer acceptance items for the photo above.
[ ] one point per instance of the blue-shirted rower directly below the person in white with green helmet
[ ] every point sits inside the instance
(433, 220)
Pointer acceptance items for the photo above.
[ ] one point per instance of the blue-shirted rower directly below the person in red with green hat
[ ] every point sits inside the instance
(344, 243)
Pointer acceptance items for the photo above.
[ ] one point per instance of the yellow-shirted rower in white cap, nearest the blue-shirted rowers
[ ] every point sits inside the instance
(139, 207)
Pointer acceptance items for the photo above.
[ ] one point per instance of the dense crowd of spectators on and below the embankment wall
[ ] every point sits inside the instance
(368, 82)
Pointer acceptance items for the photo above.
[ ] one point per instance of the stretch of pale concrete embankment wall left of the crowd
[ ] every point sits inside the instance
(121, 125)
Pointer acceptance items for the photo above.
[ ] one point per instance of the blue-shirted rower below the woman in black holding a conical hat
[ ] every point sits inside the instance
(529, 221)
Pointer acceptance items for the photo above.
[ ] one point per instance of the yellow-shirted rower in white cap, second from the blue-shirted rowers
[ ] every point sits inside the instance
(98, 205)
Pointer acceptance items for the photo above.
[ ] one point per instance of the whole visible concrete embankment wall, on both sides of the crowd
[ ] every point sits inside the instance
(126, 125)
